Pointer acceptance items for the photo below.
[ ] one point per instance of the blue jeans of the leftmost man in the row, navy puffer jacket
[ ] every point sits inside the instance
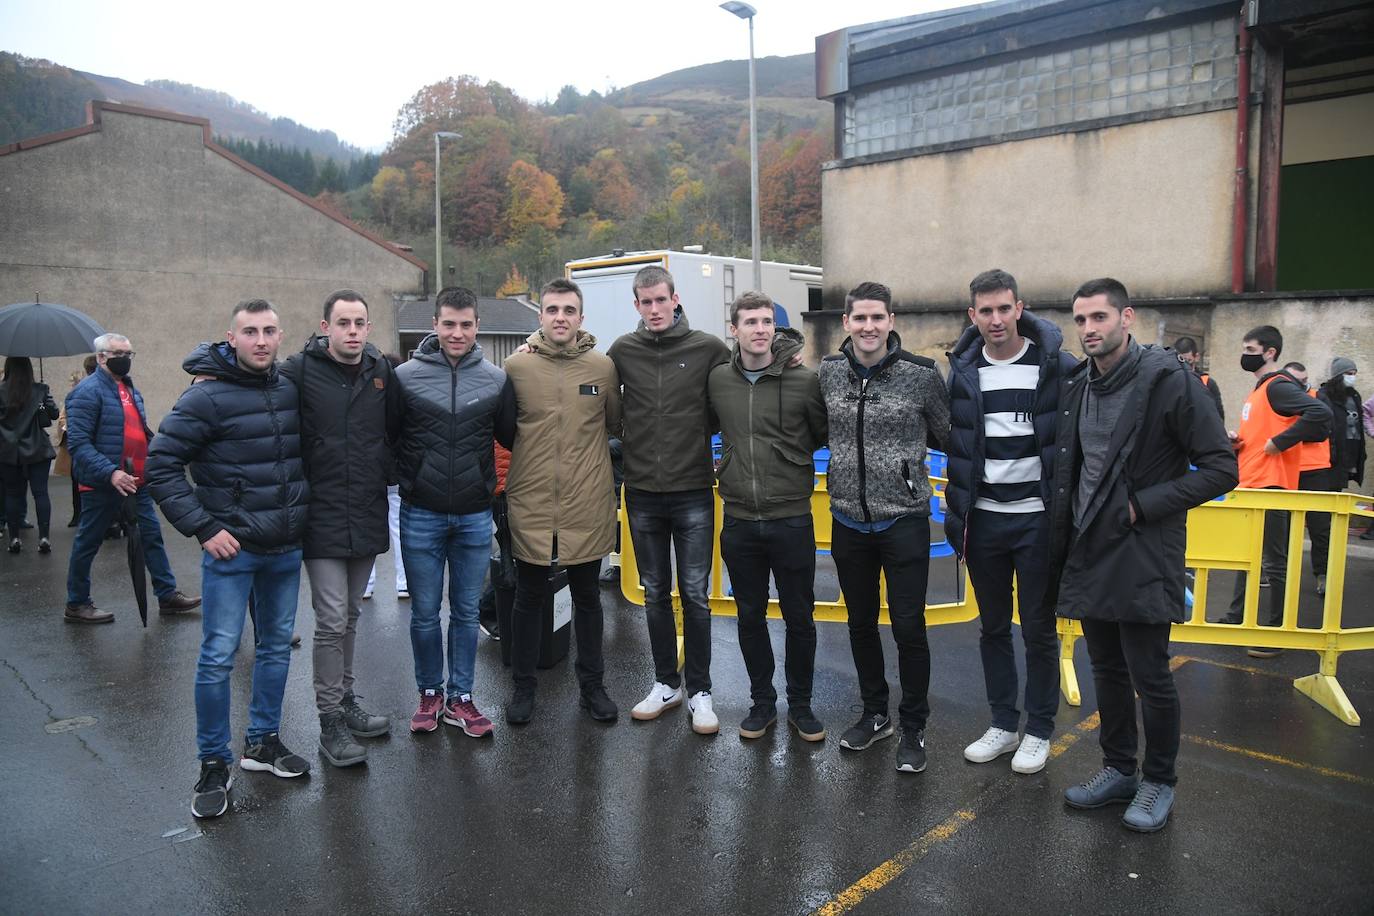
(273, 580)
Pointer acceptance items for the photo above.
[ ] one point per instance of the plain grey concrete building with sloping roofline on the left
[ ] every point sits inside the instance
(144, 223)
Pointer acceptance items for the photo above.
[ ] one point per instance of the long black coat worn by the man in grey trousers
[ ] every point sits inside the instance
(347, 425)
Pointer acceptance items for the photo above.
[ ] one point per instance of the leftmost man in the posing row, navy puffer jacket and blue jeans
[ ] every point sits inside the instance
(240, 431)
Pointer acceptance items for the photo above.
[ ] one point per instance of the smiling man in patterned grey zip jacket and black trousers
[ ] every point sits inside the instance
(884, 404)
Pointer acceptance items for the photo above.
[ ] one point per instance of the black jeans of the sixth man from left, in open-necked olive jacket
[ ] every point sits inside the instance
(787, 549)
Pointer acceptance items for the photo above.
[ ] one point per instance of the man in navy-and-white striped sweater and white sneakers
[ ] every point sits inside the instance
(1005, 395)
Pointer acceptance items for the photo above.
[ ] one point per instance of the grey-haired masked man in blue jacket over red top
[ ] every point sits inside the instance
(108, 432)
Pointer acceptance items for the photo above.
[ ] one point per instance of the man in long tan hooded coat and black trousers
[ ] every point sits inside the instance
(560, 492)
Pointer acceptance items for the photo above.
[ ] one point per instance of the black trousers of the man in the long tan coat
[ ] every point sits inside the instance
(532, 587)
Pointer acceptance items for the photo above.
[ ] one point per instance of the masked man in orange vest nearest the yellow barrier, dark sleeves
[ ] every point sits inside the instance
(1279, 414)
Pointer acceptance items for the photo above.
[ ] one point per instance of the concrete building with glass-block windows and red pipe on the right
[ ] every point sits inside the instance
(1221, 165)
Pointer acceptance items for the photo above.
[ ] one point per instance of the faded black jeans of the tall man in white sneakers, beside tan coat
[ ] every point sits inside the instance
(662, 525)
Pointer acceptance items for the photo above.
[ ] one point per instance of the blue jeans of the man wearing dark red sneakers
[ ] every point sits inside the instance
(464, 543)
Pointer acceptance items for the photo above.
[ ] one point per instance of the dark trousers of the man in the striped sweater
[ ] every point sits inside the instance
(1002, 545)
